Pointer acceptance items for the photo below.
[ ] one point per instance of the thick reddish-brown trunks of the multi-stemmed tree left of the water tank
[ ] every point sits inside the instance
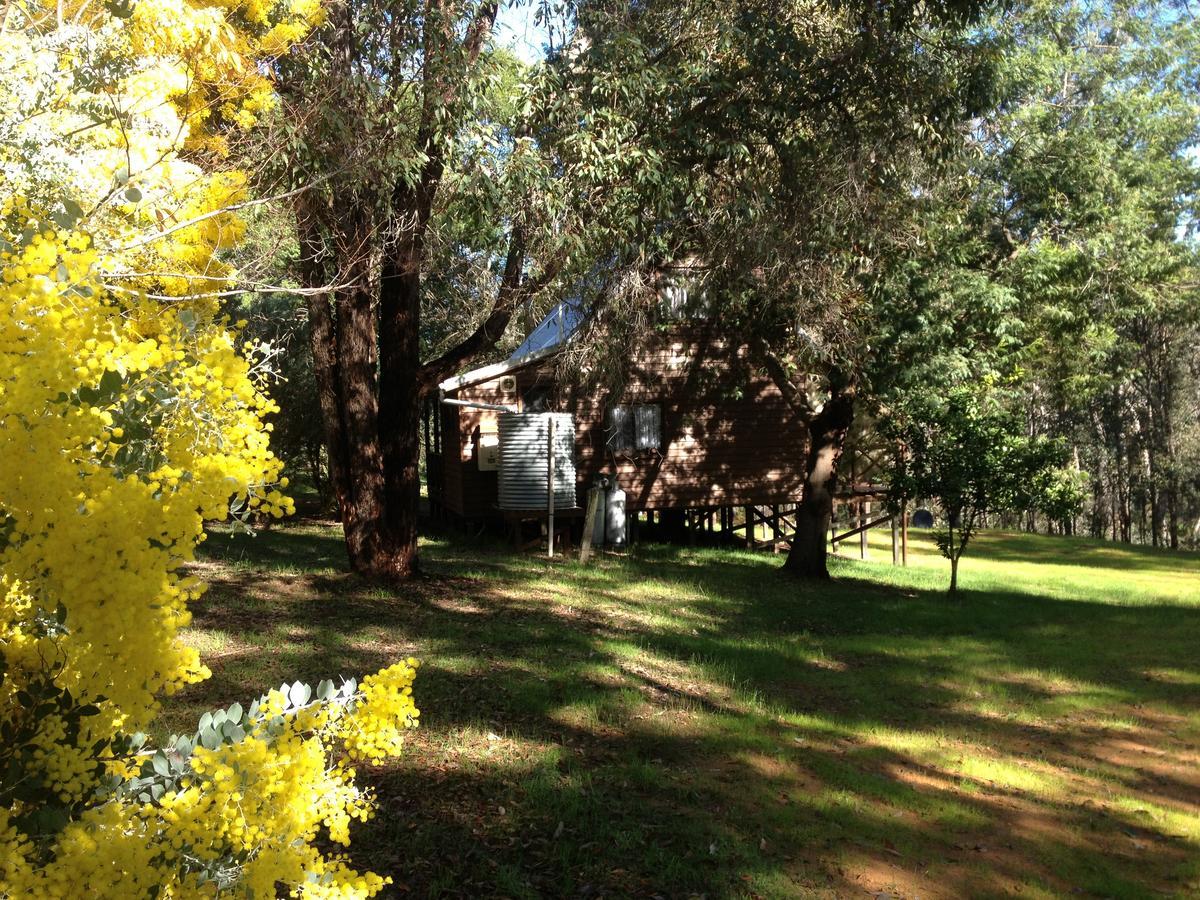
(368, 350)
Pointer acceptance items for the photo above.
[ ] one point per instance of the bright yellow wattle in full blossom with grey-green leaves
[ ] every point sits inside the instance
(131, 412)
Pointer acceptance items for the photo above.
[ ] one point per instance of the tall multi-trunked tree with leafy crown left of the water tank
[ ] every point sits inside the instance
(437, 205)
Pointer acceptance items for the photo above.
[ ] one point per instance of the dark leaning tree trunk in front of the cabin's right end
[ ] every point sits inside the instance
(827, 439)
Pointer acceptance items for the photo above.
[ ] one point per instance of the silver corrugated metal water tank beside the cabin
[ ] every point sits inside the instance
(524, 440)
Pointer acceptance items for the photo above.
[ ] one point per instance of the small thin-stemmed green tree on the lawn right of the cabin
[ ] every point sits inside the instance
(968, 452)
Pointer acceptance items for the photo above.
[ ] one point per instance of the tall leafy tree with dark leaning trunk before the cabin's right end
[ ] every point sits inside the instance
(794, 134)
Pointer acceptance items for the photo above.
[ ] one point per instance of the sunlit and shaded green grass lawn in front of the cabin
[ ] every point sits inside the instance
(687, 723)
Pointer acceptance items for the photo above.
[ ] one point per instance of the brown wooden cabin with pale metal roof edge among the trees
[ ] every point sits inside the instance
(692, 430)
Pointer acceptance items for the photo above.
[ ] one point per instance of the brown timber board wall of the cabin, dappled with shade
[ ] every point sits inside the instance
(729, 439)
